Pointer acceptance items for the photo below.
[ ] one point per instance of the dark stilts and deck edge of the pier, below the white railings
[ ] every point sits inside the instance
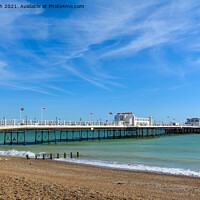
(47, 134)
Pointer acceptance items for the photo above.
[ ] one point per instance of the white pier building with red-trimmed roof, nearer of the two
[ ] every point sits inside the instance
(129, 119)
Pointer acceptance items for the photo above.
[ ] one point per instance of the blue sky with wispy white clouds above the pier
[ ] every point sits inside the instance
(111, 56)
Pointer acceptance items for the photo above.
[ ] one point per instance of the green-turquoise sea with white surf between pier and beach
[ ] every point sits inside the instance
(177, 154)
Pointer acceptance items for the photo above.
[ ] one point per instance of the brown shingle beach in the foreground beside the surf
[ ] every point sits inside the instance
(43, 179)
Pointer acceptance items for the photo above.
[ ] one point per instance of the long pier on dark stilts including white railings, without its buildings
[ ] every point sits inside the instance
(14, 133)
